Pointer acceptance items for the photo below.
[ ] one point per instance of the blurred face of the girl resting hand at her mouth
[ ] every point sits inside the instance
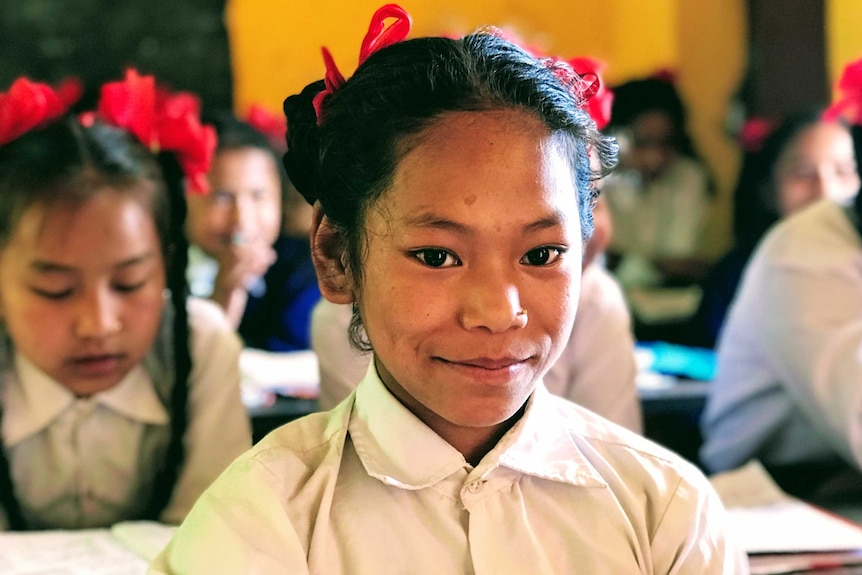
(244, 205)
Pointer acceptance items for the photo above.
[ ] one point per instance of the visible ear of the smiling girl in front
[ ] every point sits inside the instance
(330, 256)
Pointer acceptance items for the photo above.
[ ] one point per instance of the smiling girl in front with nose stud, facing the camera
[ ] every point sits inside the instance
(451, 456)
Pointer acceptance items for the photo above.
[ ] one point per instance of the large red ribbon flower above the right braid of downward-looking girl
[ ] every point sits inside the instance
(162, 121)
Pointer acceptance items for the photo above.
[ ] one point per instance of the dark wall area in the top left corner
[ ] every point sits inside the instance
(182, 42)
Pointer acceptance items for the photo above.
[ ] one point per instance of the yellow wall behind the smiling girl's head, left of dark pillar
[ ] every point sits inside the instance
(275, 46)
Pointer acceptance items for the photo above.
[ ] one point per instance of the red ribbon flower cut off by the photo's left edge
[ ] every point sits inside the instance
(27, 105)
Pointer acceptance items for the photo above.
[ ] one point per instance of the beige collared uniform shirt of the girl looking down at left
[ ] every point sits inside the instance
(82, 462)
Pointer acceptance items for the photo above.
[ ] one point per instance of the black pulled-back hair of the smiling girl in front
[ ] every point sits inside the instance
(347, 161)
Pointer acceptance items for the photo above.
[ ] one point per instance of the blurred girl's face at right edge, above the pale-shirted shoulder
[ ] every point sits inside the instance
(818, 163)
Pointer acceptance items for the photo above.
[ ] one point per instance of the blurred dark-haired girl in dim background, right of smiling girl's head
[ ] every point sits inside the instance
(659, 199)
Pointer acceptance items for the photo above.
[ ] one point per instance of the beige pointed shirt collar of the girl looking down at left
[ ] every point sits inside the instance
(33, 400)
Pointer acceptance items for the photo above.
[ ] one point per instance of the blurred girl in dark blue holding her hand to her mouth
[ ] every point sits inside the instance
(263, 279)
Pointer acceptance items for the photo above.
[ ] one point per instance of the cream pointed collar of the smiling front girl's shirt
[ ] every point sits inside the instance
(397, 448)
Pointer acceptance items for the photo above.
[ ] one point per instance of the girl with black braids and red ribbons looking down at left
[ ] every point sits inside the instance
(119, 402)
